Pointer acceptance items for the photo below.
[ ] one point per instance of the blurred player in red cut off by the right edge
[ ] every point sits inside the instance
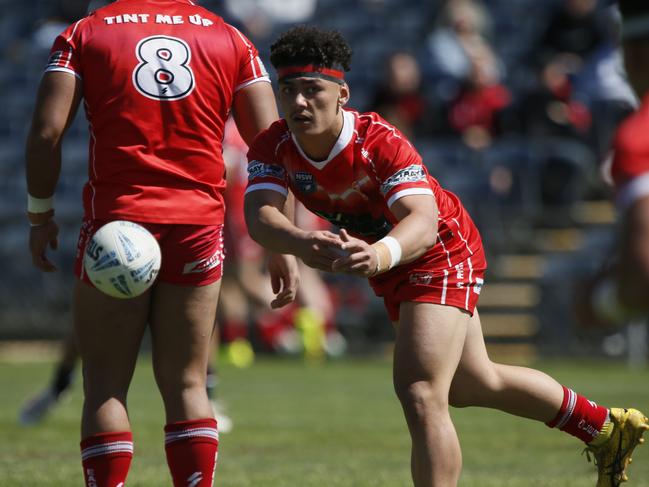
(620, 293)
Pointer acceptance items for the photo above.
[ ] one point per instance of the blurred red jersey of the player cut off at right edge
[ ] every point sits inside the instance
(630, 168)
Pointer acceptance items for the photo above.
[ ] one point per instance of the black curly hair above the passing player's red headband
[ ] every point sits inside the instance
(310, 45)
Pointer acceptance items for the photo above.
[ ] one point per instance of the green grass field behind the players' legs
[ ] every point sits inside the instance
(316, 426)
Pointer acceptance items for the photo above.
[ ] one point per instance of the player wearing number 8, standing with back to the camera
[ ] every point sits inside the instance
(158, 80)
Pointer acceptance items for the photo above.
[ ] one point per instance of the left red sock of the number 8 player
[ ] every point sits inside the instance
(106, 458)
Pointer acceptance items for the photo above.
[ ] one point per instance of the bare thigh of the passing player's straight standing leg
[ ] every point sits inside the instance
(429, 344)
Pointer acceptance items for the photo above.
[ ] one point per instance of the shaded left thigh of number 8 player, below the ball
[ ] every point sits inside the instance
(108, 332)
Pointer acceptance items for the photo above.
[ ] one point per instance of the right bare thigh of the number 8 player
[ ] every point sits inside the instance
(182, 321)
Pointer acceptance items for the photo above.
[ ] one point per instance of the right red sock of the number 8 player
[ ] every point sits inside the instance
(191, 448)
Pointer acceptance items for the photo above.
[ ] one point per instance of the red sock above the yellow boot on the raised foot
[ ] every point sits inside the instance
(579, 417)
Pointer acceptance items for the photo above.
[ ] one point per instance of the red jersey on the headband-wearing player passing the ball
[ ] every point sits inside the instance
(370, 167)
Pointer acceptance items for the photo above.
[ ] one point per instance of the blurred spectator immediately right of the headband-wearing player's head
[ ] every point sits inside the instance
(399, 99)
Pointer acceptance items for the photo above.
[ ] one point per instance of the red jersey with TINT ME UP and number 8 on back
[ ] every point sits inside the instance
(159, 77)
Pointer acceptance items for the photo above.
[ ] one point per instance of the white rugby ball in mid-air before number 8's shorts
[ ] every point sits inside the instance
(122, 259)
